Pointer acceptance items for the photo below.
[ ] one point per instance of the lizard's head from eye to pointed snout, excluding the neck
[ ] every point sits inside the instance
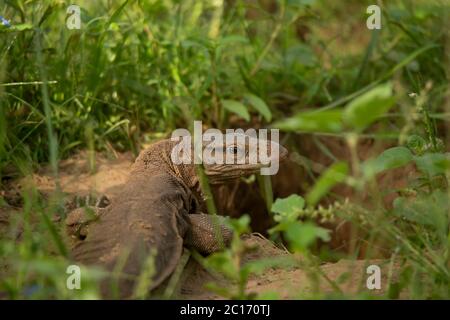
(237, 155)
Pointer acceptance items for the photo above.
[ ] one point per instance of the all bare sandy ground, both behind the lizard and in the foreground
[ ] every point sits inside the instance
(294, 281)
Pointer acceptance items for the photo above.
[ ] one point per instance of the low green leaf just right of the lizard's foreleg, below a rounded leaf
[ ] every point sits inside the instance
(301, 235)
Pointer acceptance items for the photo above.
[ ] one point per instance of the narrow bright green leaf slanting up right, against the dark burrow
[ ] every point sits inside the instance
(335, 174)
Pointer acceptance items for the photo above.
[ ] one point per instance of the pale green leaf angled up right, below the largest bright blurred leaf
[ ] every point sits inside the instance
(390, 159)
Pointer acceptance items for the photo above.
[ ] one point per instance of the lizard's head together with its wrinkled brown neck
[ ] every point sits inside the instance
(225, 157)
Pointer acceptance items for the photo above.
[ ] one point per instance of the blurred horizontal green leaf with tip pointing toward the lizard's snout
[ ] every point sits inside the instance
(312, 121)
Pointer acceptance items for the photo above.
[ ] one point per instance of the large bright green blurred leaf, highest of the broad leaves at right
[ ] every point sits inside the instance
(368, 107)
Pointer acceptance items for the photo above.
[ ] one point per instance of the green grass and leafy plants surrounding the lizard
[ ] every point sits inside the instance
(136, 70)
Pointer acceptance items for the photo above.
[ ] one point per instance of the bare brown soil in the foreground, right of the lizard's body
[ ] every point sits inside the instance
(285, 282)
